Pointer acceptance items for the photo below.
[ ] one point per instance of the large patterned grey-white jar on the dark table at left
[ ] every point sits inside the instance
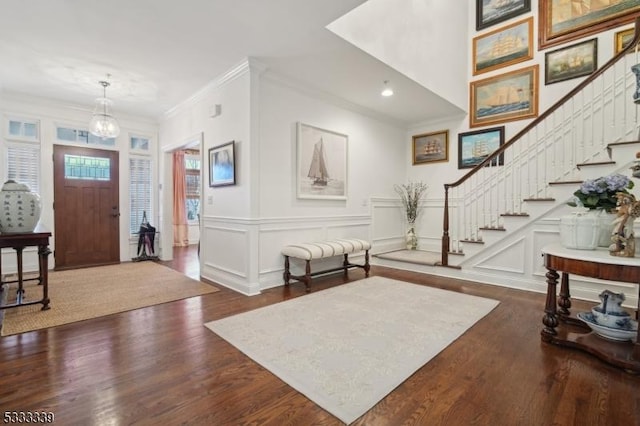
(19, 208)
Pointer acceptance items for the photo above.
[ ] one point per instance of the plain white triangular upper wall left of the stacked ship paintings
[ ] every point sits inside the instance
(422, 39)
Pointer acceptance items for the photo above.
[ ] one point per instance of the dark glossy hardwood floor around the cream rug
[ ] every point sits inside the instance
(160, 365)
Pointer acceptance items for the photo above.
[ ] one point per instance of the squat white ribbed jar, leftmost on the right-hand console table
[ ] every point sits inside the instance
(580, 230)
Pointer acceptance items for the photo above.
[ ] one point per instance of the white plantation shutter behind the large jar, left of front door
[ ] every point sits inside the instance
(23, 164)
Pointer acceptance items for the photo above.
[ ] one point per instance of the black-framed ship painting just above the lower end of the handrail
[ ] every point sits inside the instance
(474, 147)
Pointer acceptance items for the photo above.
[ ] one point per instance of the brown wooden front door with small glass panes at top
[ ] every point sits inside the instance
(86, 207)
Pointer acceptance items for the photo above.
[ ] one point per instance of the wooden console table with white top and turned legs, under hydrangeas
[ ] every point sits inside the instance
(561, 328)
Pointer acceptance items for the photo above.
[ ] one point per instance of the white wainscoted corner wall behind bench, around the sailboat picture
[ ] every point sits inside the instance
(246, 225)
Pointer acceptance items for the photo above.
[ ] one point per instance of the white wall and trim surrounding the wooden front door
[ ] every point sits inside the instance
(51, 113)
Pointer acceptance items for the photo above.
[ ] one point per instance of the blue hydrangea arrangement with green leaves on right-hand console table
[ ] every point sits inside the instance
(601, 193)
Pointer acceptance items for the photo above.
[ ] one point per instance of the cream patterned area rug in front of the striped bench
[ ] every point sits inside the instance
(347, 347)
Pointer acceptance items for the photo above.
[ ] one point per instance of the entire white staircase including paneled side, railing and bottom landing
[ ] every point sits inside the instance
(498, 217)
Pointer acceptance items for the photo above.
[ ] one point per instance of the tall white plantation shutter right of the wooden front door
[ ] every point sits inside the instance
(139, 191)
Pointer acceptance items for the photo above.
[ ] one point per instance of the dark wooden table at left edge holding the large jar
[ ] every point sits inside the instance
(18, 242)
